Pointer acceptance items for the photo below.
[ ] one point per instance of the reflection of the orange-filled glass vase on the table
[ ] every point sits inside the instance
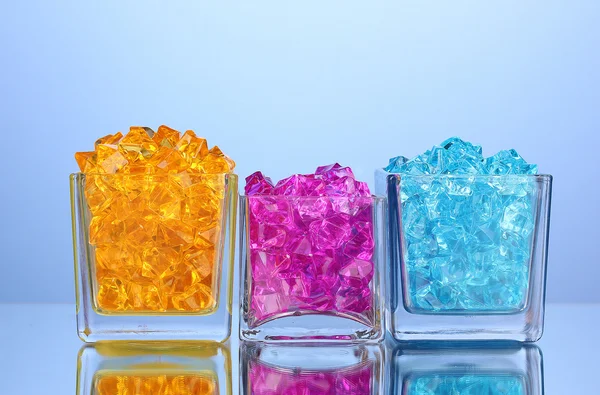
(168, 368)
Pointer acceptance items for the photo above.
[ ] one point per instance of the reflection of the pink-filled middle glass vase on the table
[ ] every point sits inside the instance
(347, 369)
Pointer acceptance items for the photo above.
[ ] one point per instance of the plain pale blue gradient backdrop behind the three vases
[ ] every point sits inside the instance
(283, 87)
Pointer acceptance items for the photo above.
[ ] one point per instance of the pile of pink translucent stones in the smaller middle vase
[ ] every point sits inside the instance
(310, 245)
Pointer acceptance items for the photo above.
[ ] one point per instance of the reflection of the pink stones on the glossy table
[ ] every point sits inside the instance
(267, 380)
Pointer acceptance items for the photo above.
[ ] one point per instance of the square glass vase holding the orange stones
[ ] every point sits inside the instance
(154, 256)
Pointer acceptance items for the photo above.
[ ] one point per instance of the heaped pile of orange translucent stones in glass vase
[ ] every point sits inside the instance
(156, 203)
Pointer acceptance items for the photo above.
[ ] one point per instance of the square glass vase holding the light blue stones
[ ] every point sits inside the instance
(467, 255)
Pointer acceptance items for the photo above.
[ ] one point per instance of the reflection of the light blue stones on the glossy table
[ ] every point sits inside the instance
(469, 384)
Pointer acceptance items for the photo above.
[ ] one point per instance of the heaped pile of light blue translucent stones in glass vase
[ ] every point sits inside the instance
(467, 224)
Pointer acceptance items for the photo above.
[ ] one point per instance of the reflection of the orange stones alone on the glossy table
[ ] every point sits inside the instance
(161, 384)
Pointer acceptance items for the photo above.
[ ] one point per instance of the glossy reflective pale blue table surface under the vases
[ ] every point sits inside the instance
(41, 353)
